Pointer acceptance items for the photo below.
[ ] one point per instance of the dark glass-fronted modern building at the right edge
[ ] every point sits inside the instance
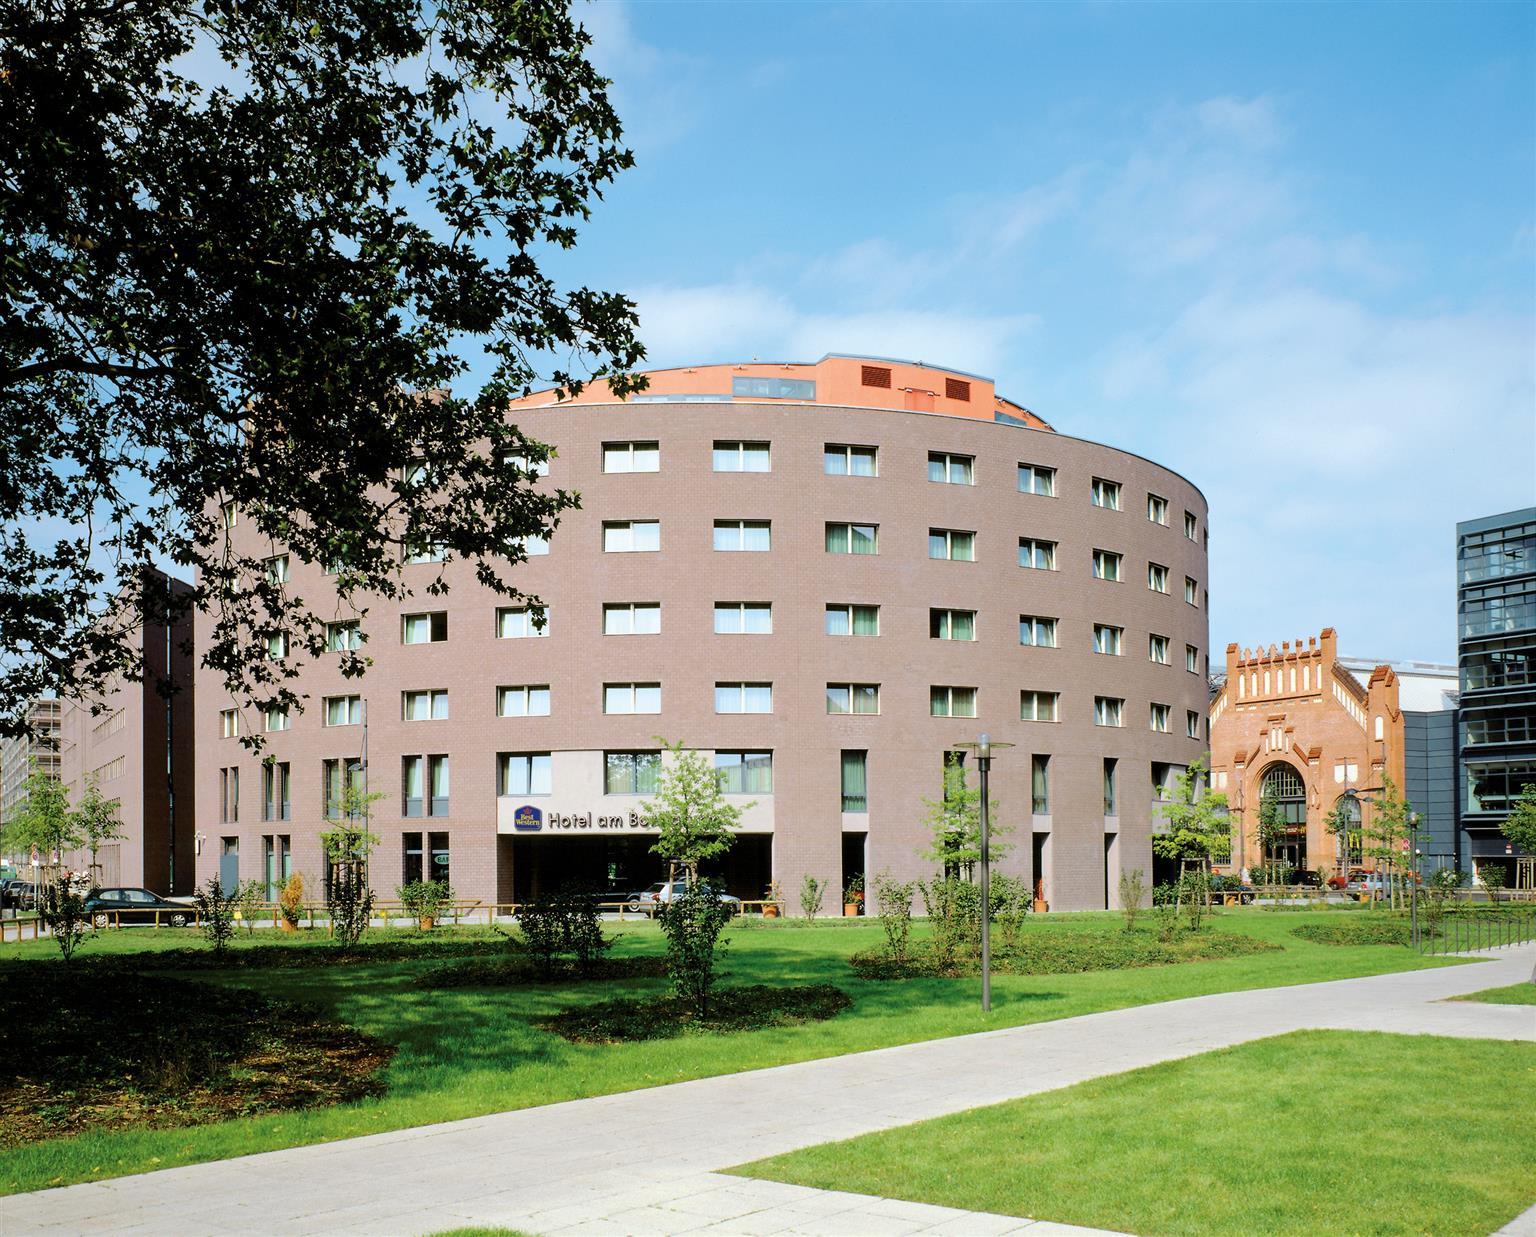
(1497, 652)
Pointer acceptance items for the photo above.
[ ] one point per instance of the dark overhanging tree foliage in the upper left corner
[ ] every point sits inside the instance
(248, 257)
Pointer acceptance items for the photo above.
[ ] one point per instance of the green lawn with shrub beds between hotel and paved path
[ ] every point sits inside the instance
(469, 1052)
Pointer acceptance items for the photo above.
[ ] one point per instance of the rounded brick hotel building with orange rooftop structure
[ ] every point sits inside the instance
(823, 575)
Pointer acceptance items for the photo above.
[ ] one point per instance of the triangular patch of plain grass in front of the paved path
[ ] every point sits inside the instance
(1230, 1142)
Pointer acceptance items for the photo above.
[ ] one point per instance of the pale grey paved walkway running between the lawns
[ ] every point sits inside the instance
(647, 1162)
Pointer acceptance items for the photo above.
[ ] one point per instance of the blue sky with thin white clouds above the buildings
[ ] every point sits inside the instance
(1286, 251)
